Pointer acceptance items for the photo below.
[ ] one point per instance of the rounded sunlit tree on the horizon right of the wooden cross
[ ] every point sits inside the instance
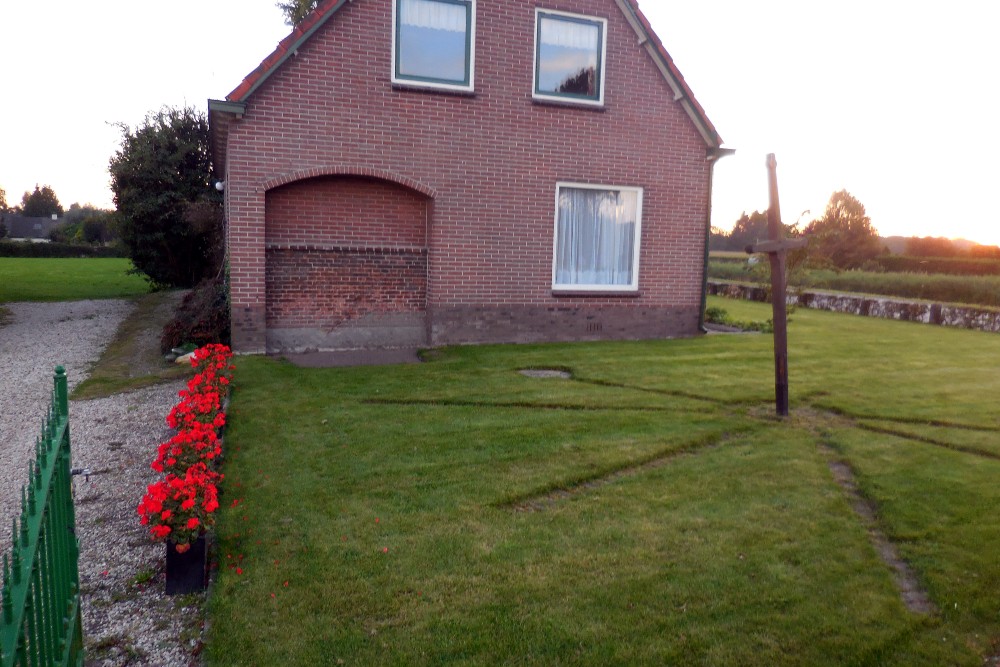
(844, 237)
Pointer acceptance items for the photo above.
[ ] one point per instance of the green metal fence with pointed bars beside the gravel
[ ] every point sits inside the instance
(40, 623)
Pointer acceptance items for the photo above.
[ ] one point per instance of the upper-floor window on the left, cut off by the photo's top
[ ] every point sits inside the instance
(434, 43)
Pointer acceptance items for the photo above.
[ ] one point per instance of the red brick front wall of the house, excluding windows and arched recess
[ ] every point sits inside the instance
(491, 161)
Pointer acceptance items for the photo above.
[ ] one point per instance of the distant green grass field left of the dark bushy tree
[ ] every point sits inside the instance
(35, 279)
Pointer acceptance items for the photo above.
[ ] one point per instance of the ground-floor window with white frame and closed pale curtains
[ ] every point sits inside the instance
(597, 232)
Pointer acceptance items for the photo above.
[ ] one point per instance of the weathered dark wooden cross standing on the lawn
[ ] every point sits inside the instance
(777, 248)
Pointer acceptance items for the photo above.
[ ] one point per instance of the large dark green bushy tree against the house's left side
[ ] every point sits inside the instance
(162, 183)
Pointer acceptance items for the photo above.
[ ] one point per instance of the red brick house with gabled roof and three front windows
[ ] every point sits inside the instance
(414, 172)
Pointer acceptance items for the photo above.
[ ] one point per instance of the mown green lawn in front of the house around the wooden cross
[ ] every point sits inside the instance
(650, 510)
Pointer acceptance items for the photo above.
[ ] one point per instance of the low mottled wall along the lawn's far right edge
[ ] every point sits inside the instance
(964, 317)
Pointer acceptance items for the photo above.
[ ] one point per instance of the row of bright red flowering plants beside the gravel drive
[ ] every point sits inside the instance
(181, 507)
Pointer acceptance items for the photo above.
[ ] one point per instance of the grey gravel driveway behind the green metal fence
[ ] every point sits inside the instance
(127, 619)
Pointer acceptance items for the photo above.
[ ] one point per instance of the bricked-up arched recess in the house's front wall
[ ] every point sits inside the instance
(345, 262)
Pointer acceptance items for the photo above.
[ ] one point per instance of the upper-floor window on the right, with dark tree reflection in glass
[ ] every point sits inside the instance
(569, 57)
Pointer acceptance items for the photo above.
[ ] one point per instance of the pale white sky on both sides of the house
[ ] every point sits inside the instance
(895, 101)
